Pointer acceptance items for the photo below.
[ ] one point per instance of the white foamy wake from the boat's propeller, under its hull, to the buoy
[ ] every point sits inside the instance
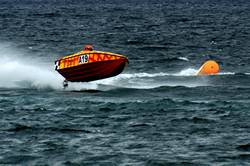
(141, 81)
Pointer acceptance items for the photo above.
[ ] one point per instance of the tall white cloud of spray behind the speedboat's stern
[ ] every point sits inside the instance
(18, 71)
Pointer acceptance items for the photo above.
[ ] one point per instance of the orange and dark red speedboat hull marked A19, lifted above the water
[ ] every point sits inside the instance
(90, 66)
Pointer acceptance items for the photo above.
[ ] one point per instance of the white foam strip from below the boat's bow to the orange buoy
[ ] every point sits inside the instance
(151, 80)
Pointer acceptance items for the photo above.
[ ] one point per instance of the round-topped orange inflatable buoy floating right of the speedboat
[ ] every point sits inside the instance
(209, 67)
